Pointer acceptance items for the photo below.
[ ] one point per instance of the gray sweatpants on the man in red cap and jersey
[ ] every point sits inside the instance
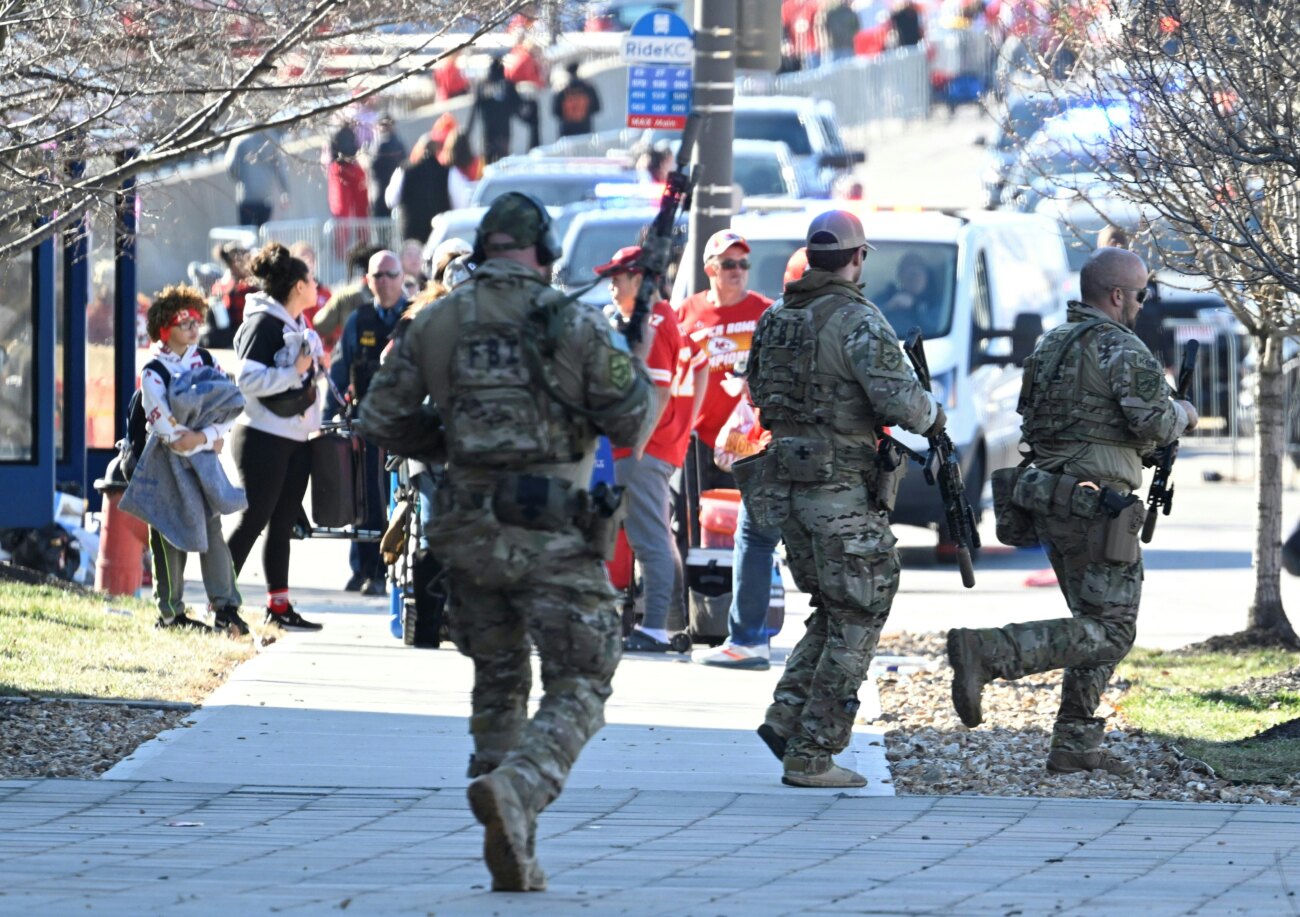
(651, 535)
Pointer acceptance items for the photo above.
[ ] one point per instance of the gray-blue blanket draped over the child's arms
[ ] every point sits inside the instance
(176, 494)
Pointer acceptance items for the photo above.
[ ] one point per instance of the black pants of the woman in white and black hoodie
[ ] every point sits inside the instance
(274, 472)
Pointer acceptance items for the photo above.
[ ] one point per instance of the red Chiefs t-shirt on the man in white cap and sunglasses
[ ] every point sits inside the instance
(723, 334)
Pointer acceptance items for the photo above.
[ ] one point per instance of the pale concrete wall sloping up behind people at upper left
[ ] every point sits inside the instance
(181, 207)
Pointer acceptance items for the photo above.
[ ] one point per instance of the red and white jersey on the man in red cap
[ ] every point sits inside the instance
(673, 361)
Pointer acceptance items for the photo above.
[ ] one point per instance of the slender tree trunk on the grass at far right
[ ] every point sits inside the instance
(1267, 613)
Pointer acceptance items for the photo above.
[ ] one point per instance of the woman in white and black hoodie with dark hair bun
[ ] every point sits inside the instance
(280, 362)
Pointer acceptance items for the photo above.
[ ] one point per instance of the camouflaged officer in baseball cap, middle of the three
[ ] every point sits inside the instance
(826, 370)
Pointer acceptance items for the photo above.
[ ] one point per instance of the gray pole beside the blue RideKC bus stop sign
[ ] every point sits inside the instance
(714, 98)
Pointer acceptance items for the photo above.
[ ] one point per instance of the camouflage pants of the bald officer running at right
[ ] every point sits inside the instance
(1103, 600)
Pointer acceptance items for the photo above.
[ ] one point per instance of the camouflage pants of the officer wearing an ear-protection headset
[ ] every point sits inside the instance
(553, 594)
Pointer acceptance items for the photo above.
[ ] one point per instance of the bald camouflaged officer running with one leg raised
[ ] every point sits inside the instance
(1094, 404)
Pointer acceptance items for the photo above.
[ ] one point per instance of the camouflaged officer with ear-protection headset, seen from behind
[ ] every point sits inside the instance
(521, 383)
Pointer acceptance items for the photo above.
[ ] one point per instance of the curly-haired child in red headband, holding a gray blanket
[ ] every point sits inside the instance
(175, 322)
